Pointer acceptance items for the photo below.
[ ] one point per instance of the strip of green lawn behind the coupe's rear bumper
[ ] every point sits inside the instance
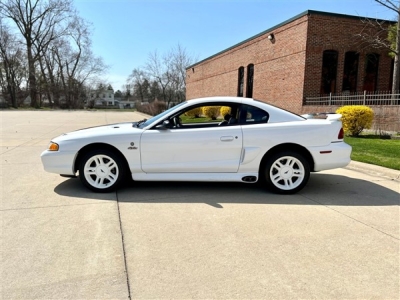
(373, 150)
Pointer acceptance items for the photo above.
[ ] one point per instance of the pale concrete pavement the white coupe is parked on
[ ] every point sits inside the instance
(336, 239)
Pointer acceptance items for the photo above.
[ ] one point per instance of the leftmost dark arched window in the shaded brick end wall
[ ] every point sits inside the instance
(329, 70)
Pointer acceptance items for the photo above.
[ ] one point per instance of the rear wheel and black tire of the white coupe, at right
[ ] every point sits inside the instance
(286, 172)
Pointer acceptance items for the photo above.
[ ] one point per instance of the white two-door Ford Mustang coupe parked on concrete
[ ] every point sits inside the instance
(241, 140)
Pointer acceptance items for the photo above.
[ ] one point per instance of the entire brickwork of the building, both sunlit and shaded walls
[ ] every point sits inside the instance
(289, 68)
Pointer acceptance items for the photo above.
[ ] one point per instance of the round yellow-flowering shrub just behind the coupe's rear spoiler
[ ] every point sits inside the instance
(356, 118)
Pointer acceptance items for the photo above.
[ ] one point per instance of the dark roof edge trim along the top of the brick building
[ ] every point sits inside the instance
(307, 12)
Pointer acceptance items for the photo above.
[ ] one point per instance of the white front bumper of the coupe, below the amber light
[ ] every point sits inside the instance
(58, 162)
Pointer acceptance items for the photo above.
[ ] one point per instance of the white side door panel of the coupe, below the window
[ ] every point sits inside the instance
(192, 149)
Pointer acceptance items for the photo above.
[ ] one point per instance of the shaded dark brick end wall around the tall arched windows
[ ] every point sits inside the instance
(327, 32)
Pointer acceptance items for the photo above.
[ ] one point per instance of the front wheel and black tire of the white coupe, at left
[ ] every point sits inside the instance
(102, 171)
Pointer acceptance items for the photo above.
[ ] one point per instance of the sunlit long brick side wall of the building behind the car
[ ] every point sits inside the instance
(278, 68)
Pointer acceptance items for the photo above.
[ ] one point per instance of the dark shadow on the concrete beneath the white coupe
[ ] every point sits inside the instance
(322, 189)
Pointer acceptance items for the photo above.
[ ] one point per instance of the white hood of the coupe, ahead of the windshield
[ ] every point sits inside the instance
(101, 131)
